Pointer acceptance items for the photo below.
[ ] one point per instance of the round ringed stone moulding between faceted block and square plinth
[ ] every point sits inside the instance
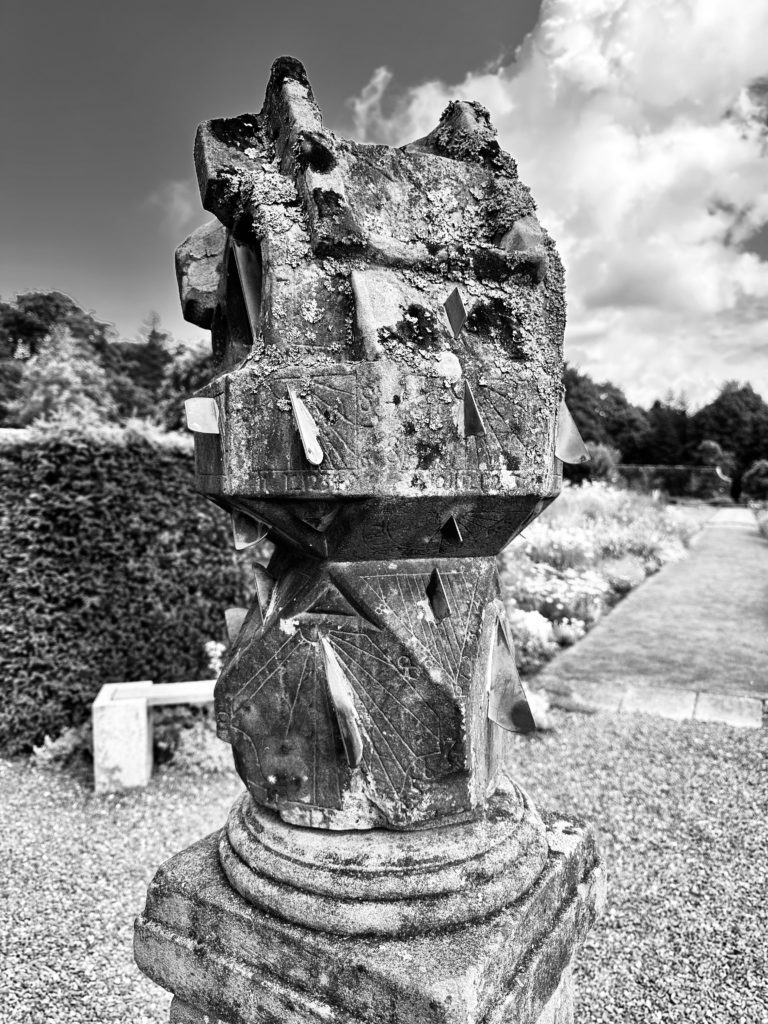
(381, 882)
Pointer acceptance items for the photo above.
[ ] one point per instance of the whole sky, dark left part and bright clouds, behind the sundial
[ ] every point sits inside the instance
(642, 127)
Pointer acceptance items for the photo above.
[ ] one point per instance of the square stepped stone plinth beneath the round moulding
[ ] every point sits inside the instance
(226, 961)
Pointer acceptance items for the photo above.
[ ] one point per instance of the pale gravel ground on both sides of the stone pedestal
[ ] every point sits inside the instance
(681, 808)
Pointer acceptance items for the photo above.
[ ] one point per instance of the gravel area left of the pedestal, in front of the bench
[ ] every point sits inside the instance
(75, 872)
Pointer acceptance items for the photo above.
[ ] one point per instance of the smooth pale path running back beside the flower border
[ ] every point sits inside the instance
(691, 643)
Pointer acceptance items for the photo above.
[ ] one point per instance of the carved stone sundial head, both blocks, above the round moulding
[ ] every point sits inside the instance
(389, 408)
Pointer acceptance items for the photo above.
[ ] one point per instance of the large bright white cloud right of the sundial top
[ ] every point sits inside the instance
(642, 129)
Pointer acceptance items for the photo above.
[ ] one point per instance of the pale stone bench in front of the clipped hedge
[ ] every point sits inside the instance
(122, 721)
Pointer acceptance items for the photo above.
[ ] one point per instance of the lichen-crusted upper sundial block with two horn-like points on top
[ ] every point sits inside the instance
(334, 277)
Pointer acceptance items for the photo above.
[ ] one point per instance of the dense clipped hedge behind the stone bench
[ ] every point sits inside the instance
(113, 568)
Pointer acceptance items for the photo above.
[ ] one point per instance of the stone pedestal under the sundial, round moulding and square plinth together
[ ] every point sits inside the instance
(451, 937)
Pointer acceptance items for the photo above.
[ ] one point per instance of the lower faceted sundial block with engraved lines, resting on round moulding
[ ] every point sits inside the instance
(420, 688)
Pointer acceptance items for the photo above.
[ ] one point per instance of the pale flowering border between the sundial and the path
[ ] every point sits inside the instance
(592, 546)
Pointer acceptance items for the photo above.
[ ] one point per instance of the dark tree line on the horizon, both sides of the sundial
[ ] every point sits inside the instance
(59, 362)
